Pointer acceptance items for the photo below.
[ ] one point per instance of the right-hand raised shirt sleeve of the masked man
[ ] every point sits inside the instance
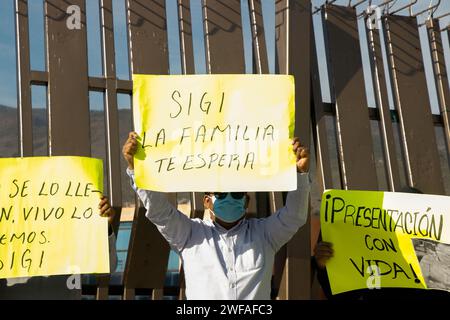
(280, 227)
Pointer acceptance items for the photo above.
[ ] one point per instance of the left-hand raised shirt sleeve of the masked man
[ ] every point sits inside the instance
(174, 226)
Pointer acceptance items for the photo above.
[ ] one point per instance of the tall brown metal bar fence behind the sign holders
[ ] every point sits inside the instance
(355, 146)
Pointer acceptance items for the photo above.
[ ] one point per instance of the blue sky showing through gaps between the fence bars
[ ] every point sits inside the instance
(8, 79)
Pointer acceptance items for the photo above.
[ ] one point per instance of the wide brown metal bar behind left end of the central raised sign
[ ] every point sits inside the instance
(148, 251)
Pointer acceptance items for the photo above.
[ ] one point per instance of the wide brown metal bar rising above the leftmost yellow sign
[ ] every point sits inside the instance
(69, 126)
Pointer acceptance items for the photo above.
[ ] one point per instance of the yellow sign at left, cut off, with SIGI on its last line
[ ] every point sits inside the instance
(49, 217)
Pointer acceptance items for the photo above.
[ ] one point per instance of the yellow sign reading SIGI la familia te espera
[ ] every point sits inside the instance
(214, 132)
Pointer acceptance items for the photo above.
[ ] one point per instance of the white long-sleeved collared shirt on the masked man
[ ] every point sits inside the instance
(225, 264)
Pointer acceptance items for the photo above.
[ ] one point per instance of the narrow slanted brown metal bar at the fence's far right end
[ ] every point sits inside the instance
(440, 75)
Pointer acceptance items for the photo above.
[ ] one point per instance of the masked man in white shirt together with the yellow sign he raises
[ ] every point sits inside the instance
(224, 134)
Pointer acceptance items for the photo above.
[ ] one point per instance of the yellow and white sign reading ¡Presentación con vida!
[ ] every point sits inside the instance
(385, 239)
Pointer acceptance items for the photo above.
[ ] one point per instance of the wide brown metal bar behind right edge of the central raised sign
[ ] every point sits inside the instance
(293, 36)
